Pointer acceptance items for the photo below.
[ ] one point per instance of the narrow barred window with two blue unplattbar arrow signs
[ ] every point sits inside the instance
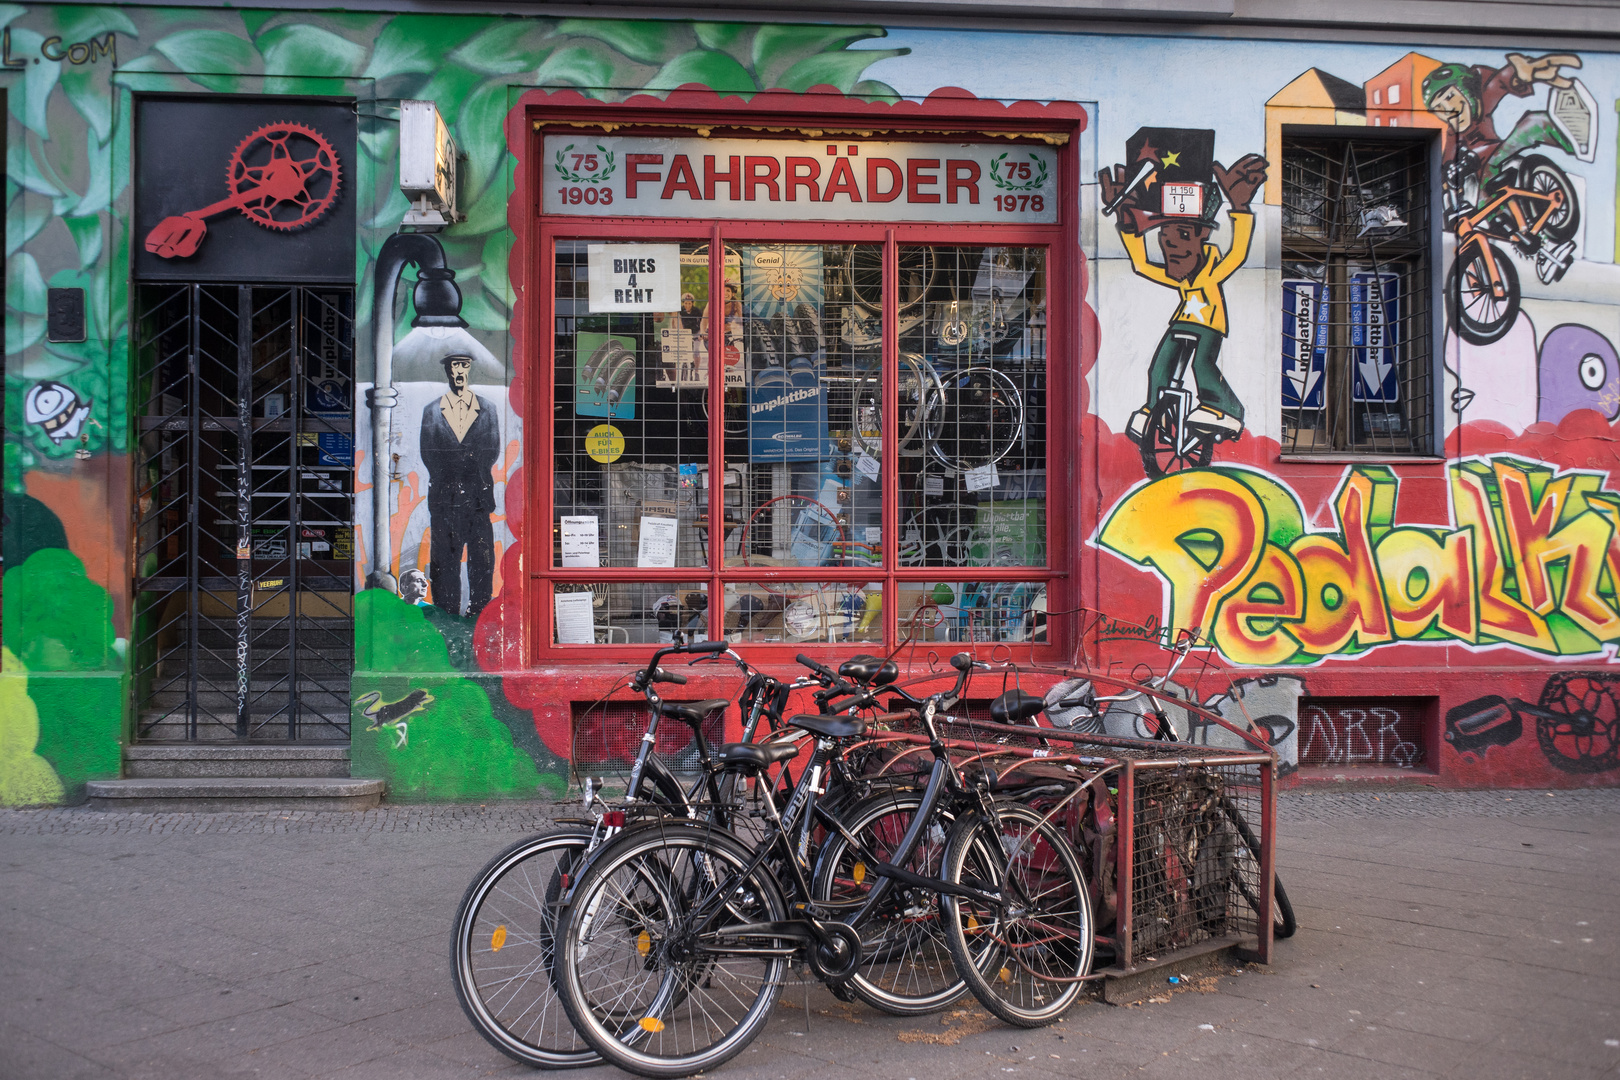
(1358, 352)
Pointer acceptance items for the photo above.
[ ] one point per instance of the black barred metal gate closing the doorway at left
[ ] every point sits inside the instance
(244, 519)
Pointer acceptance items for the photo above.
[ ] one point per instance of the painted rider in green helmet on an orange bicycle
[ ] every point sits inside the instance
(1493, 184)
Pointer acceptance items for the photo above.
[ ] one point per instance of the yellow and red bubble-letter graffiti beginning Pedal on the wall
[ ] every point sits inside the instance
(1530, 561)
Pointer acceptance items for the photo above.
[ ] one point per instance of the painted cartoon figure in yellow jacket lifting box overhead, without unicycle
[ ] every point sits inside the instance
(1174, 185)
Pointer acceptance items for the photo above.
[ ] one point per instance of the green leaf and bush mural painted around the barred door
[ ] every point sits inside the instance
(67, 203)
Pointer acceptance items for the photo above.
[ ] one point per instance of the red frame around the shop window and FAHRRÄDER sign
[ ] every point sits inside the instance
(947, 117)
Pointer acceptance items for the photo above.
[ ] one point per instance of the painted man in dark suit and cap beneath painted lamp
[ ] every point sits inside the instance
(461, 444)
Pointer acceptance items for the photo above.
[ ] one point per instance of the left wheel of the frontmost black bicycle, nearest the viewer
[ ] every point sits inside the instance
(639, 887)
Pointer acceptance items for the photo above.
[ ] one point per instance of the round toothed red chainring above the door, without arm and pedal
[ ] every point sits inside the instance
(289, 174)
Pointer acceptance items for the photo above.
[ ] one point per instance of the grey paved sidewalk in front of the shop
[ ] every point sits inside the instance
(1443, 935)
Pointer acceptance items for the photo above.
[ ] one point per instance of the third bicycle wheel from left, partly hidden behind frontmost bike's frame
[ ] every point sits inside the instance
(906, 966)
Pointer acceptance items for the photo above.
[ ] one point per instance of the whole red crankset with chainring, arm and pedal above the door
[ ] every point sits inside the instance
(284, 176)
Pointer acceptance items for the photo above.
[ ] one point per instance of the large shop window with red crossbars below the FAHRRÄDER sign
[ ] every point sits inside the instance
(830, 441)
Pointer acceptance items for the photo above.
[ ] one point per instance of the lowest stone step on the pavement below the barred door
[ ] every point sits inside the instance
(236, 793)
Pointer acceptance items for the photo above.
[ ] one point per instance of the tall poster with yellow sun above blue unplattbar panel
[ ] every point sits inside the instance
(783, 294)
